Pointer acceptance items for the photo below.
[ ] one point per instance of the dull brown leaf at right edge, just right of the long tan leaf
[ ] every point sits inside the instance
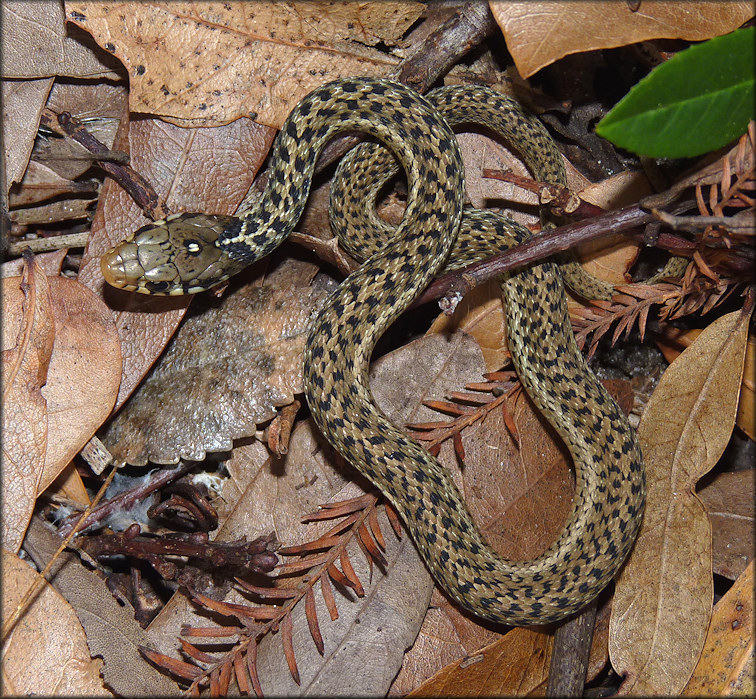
(730, 502)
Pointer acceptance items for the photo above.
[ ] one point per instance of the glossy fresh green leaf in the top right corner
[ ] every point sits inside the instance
(698, 101)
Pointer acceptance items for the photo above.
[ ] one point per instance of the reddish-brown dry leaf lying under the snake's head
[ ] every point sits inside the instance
(196, 170)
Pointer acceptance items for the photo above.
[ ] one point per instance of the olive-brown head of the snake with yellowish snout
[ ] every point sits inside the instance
(179, 255)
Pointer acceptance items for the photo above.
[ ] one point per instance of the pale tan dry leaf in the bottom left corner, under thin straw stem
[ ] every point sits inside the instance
(46, 652)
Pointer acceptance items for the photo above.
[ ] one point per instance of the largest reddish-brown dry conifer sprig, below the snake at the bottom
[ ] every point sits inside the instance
(314, 561)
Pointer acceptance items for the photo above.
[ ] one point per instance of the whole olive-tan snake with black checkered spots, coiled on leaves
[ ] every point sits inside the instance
(192, 252)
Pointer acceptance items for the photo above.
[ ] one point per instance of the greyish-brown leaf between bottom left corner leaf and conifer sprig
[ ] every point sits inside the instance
(112, 633)
